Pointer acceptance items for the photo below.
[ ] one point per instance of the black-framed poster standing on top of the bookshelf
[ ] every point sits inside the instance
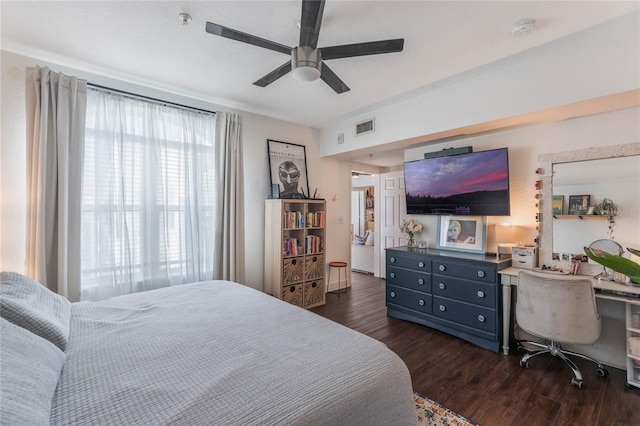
(288, 168)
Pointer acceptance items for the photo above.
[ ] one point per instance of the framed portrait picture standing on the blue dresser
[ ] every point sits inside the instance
(462, 233)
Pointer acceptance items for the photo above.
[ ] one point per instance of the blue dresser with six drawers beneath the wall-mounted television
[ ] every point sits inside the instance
(454, 292)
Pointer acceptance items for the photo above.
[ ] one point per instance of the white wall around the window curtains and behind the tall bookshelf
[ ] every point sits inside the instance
(256, 130)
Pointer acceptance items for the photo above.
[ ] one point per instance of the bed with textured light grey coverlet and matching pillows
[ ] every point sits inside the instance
(212, 352)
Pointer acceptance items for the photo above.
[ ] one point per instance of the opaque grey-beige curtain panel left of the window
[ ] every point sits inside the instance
(55, 112)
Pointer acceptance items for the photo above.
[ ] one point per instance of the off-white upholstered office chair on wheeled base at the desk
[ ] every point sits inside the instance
(560, 309)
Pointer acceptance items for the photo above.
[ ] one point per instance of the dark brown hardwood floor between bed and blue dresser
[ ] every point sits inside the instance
(485, 387)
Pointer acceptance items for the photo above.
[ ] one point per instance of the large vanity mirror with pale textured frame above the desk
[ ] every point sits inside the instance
(608, 172)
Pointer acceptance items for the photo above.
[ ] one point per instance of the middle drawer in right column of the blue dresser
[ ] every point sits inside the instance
(466, 291)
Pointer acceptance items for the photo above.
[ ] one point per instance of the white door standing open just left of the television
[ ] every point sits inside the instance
(392, 212)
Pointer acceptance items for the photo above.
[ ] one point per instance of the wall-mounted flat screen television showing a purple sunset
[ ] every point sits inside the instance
(475, 184)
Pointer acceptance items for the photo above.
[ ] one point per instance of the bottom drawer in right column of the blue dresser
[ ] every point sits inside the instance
(476, 317)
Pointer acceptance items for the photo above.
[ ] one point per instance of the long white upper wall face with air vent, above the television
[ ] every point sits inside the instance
(597, 62)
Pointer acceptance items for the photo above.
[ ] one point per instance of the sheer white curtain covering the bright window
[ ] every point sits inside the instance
(150, 196)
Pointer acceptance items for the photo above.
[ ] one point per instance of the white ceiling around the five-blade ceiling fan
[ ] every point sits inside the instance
(144, 42)
